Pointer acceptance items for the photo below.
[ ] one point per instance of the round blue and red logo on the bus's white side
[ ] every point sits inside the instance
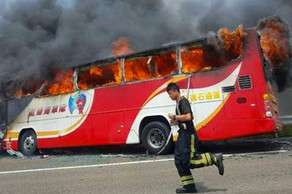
(77, 103)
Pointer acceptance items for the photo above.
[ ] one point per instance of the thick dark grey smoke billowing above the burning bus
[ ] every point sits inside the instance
(39, 35)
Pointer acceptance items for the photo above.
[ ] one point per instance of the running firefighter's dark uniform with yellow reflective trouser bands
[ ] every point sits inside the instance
(186, 152)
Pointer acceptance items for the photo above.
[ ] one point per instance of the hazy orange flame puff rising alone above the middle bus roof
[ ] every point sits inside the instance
(121, 47)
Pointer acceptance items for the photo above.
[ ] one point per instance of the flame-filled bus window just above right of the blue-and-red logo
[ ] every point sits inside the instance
(97, 75)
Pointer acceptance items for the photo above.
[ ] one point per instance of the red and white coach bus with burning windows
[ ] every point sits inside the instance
(123, 100)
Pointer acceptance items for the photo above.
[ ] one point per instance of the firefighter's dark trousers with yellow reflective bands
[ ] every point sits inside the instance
(187, 157)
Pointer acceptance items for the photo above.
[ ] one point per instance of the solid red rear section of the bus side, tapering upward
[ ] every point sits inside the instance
(243, 113)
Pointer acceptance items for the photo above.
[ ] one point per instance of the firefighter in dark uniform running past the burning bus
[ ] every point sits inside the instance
(186, 152)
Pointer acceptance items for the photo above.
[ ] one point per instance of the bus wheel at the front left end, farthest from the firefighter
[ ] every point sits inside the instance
(28, 143)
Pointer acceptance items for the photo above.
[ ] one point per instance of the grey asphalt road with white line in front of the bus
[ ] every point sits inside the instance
(249, 171)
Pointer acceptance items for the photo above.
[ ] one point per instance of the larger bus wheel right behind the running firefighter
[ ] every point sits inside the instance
(154, 137)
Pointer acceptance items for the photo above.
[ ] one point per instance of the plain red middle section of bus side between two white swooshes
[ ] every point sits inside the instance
(112, 114)
